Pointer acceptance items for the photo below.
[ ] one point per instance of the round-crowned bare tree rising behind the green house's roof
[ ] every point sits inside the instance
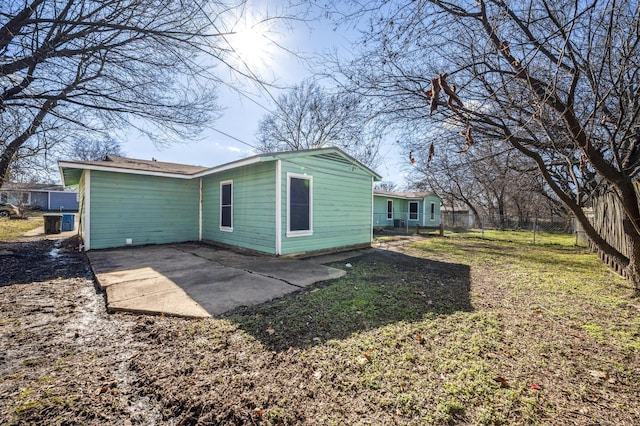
(308, 116)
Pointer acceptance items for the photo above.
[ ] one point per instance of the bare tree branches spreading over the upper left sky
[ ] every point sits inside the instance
(72, 68)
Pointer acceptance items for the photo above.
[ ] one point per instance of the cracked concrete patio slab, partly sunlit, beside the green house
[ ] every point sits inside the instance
(196, 280)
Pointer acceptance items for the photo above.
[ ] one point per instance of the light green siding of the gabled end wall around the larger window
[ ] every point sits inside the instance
(341, 204)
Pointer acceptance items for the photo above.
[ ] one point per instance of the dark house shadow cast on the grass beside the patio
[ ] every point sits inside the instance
(379, 288)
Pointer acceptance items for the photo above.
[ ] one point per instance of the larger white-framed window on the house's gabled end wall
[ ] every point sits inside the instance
(299, 202)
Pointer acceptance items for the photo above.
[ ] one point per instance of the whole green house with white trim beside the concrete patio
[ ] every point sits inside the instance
(282, 204)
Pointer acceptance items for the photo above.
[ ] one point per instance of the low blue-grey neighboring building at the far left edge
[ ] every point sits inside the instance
(39, 196)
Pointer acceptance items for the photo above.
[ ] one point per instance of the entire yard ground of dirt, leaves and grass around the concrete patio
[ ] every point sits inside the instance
(418, 337)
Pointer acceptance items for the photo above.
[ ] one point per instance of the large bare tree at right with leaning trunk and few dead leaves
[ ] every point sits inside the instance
(557, 81)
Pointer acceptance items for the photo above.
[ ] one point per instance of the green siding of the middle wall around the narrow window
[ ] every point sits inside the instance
(254, 207)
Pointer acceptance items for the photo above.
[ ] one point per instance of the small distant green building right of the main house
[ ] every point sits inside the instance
(405, 209)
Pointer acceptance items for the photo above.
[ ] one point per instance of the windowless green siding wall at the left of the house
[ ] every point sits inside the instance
(147, 209)
